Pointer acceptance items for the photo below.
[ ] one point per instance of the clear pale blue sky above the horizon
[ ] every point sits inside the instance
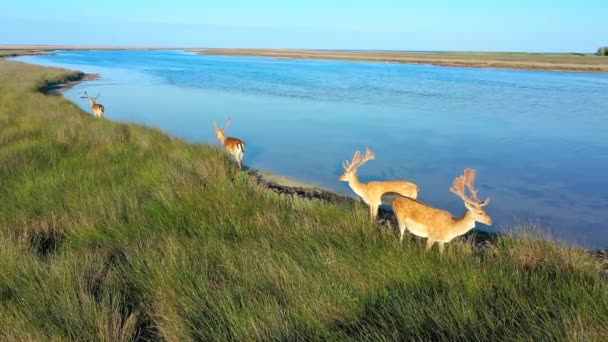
(432, 25)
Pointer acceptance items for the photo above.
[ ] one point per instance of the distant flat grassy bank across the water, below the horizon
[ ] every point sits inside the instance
(505, 60)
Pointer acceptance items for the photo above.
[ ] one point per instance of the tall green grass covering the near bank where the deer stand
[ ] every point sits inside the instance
(118, 232)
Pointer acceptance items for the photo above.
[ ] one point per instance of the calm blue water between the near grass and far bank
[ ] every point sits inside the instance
(538, 139)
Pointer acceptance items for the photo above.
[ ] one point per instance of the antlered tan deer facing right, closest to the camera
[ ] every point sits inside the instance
(438, 225)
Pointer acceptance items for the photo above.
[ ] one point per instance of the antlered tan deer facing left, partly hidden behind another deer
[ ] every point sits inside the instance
(371, 193)
